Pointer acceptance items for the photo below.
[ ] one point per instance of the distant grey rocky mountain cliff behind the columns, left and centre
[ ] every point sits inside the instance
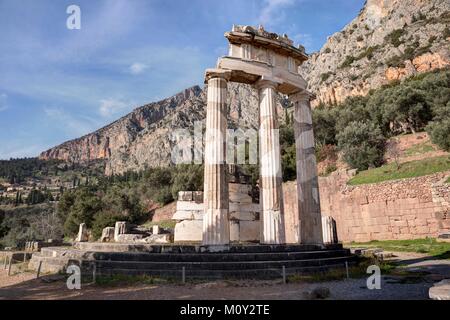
(144, 138)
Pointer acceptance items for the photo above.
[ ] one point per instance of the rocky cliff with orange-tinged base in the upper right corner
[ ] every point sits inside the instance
(388, 40)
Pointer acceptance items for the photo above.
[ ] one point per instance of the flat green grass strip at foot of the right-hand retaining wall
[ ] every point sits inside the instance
(439, 250)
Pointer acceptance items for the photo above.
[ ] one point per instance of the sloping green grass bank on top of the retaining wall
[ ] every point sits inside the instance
(409, 169)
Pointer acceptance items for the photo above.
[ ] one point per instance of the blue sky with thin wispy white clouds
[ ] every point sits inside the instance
(58, 84)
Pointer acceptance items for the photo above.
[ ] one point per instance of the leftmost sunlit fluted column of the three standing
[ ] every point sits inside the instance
(216, 228)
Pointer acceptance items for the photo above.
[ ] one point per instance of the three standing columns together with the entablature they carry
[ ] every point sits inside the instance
(270, 63)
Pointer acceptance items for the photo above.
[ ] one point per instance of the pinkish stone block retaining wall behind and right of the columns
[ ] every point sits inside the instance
(399, 209)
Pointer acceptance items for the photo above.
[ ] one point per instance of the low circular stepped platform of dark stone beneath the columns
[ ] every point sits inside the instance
(234, 261)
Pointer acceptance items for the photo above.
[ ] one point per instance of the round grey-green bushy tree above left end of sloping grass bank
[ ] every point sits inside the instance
(362, 145)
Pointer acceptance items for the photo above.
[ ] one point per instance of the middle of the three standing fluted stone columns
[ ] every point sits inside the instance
(271, 195)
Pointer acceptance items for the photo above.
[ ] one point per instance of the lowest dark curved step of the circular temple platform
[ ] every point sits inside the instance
(236, 266)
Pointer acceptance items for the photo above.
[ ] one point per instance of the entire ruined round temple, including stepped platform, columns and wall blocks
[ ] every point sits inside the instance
(226, 217)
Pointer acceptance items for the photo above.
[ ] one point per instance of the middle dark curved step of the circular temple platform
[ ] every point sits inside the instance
(214, 257)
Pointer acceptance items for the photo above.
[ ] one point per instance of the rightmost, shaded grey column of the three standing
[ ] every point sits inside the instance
(310, 222)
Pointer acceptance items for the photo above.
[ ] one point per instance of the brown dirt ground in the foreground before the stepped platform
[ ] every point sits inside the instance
(25, 286)
